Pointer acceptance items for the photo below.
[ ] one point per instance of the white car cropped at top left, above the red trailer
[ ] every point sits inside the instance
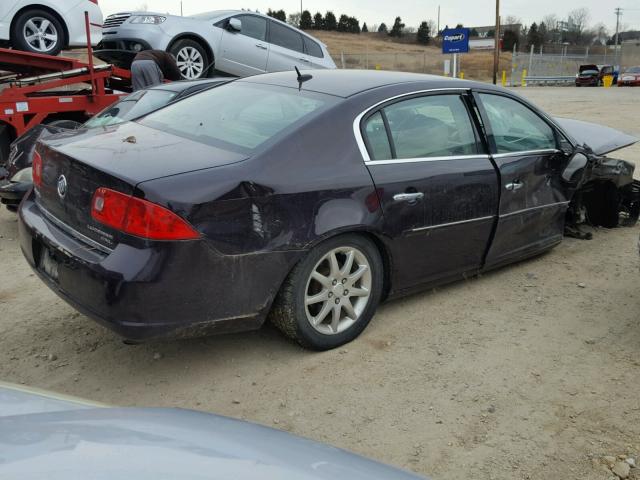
(48, 26)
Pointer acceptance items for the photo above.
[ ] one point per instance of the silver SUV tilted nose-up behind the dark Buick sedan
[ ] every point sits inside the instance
(232, 42)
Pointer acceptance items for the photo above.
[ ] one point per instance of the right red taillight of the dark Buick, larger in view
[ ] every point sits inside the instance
(139, 217)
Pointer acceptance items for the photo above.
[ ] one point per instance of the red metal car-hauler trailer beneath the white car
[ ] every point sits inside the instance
(36, 88)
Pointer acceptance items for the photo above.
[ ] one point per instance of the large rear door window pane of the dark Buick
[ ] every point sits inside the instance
(431, 126)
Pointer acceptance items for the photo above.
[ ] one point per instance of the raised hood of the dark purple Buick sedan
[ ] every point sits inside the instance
(599, 138)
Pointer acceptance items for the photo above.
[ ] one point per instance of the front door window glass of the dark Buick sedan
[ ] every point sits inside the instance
(515, 127)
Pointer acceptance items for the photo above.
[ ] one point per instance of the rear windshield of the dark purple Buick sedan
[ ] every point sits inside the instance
(239, 116)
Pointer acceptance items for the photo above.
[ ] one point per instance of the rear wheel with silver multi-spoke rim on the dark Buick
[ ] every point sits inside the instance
(331, 295)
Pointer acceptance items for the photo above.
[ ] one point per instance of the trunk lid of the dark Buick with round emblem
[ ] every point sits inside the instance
(118, 157)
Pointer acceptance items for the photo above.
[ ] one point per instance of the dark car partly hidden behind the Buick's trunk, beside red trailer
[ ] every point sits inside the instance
(16, 180)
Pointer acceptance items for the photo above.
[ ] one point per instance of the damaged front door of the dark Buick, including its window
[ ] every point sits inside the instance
(533, 198)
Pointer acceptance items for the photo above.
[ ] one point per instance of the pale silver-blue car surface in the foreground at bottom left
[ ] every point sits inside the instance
(43, 435)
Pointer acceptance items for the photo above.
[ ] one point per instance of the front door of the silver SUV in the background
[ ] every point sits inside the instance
(245, 52)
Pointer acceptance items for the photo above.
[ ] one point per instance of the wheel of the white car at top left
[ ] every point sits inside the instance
(38, 31)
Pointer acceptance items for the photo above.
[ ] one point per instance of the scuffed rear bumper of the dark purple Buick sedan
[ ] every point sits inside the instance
(171, 289)
